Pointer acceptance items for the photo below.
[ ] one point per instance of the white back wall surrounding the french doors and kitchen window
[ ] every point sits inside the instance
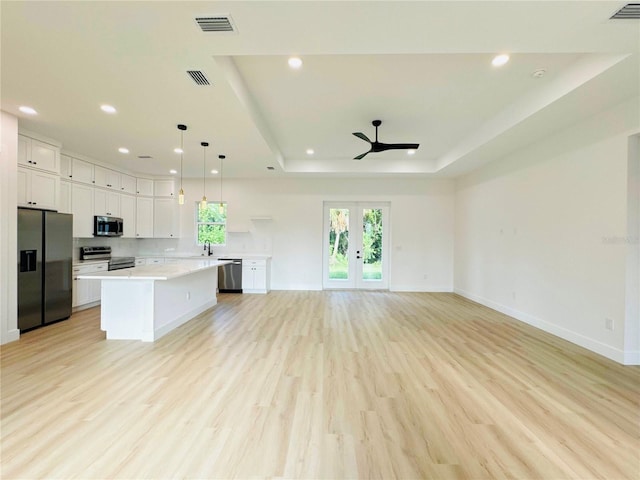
(421, 226)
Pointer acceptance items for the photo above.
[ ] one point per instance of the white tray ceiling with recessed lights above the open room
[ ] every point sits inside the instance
(422, 67)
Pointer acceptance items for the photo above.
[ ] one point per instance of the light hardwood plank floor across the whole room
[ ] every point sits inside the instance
(318, 385)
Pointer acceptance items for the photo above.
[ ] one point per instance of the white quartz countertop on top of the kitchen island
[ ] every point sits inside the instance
(155, 272)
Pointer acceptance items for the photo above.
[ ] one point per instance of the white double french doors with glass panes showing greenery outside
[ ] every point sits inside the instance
(356, 245)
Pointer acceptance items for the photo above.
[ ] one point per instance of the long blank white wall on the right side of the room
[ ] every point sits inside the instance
(536, 233)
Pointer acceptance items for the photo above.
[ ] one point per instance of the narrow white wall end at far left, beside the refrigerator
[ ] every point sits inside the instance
(8, 228)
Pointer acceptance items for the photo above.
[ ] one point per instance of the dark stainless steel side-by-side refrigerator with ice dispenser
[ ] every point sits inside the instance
(45, 245)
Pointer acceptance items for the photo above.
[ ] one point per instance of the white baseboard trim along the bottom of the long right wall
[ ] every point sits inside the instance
(595, 346)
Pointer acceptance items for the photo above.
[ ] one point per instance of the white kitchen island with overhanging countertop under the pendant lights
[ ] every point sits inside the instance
(147, 302)
